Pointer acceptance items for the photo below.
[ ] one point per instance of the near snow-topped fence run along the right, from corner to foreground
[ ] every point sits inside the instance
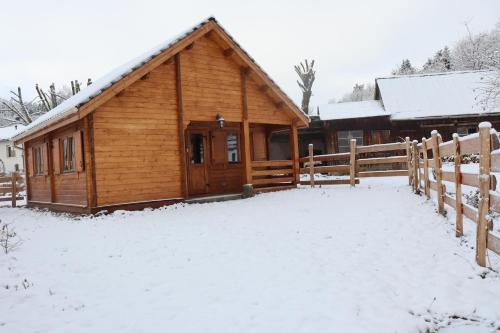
(486, 144)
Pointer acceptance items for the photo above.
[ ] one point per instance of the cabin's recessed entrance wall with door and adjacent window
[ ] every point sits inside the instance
(214, 160)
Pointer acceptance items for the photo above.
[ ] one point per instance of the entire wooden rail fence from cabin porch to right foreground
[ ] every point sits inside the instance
(419, 161)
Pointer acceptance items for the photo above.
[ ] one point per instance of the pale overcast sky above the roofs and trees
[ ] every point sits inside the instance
(351, 41)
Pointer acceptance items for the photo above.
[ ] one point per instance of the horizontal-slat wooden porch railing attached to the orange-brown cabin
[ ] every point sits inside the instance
(274, 173)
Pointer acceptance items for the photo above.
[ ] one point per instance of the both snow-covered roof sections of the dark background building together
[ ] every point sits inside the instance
(417, 96)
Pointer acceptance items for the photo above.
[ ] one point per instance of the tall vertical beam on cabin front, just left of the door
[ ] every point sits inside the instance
(180, 124)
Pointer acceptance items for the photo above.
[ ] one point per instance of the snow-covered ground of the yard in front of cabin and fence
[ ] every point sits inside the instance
(375, 258)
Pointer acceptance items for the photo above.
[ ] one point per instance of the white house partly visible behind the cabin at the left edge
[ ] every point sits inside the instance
(11, 156)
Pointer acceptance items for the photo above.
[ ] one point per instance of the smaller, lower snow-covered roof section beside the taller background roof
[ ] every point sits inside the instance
(350, 110)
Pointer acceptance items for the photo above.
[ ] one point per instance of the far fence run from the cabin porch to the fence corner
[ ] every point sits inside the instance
(356, 163)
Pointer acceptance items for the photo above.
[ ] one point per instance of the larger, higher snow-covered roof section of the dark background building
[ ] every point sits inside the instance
(432, 95)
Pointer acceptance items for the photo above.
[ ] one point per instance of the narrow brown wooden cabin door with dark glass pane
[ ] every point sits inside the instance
(197, 162)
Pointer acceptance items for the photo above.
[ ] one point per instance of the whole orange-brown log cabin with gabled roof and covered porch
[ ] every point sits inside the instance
(188, 119)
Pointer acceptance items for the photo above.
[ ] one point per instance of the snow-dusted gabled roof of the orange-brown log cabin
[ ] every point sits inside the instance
(70, 105)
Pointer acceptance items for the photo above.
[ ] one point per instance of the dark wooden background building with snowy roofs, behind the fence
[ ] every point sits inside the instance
(403, 106)
